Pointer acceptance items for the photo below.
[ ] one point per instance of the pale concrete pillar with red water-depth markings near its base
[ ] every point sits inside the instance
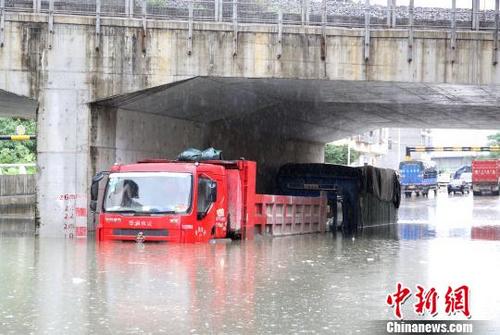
(63, 138)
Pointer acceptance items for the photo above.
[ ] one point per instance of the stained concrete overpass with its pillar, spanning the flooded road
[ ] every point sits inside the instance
(273, 93)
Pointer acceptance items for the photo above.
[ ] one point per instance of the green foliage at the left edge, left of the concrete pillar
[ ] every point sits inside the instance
(12, 152)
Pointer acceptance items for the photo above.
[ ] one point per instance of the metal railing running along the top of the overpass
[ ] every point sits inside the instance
(342, 13)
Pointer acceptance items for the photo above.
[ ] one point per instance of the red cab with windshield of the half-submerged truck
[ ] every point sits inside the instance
(173, 201)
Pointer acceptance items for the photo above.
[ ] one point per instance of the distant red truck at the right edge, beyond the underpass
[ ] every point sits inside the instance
(486, 176)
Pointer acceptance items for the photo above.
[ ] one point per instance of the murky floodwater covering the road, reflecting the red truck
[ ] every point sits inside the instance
(313, 283)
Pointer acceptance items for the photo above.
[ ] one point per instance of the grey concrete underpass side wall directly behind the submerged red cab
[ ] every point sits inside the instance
(121, 136)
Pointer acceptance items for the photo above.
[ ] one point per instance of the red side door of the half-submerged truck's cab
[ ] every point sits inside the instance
(206, 207)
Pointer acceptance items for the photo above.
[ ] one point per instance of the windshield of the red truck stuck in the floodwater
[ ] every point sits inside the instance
(148, 192)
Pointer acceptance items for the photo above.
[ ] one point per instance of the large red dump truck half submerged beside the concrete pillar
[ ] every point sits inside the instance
(178, 201)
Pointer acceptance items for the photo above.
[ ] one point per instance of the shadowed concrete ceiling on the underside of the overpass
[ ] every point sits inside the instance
(317, 110)
